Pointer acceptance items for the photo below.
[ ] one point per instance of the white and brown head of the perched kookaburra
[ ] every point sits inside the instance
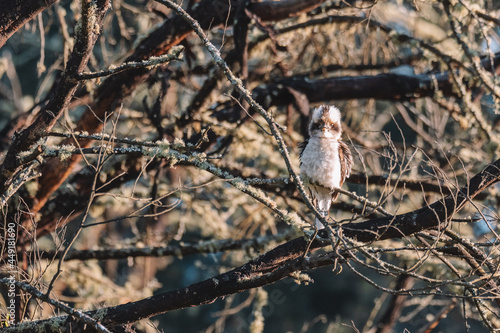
(325, 123)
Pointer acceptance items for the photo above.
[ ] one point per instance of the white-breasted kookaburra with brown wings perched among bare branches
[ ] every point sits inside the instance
(325, 159)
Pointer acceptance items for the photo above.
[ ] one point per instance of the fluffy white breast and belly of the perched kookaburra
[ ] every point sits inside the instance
(321, 162)
